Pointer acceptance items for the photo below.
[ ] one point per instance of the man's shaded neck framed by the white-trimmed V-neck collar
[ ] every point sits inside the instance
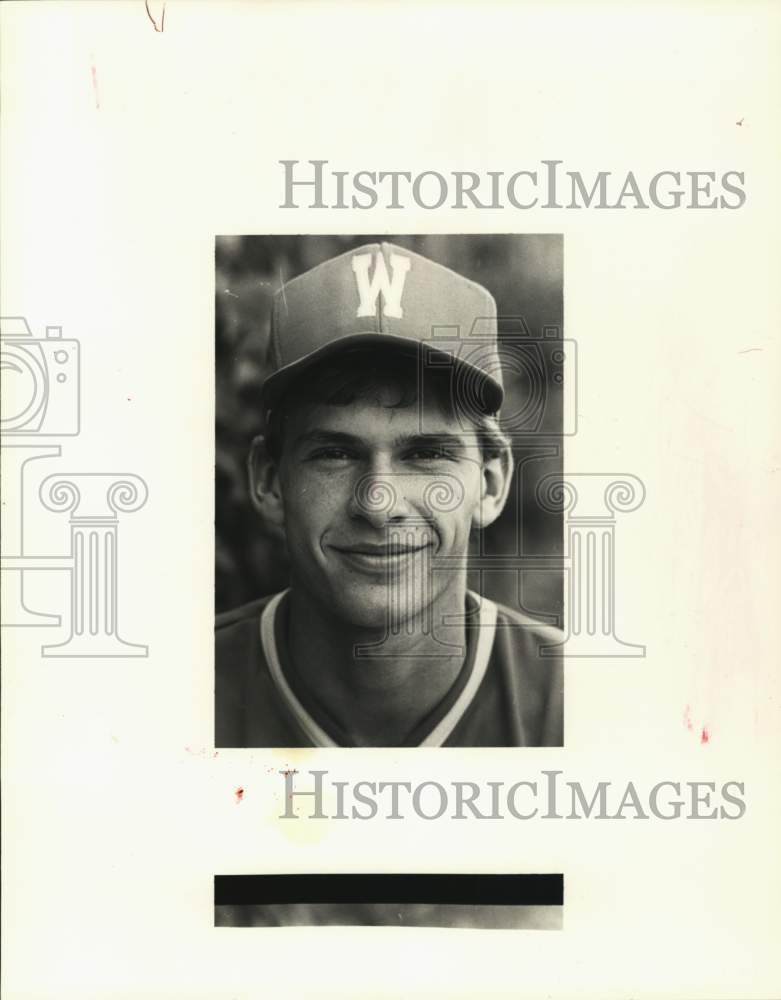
(379, 698)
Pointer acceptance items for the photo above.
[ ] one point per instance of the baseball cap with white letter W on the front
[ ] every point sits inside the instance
(382, 294)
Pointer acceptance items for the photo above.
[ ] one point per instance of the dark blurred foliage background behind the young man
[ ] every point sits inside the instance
(524, 274)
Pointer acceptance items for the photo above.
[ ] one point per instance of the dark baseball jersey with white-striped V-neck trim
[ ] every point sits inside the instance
(509, 692)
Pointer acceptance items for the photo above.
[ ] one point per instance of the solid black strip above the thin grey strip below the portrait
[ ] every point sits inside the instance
(494, 890)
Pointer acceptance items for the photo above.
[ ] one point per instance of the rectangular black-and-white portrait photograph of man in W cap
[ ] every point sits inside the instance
(387, 410)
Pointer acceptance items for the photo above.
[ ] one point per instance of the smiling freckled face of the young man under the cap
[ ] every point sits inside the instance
(370, 501)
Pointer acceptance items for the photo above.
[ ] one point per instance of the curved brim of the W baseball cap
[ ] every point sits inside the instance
(486, 394)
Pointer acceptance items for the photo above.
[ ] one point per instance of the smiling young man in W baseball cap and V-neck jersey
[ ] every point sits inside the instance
(382, 455)
